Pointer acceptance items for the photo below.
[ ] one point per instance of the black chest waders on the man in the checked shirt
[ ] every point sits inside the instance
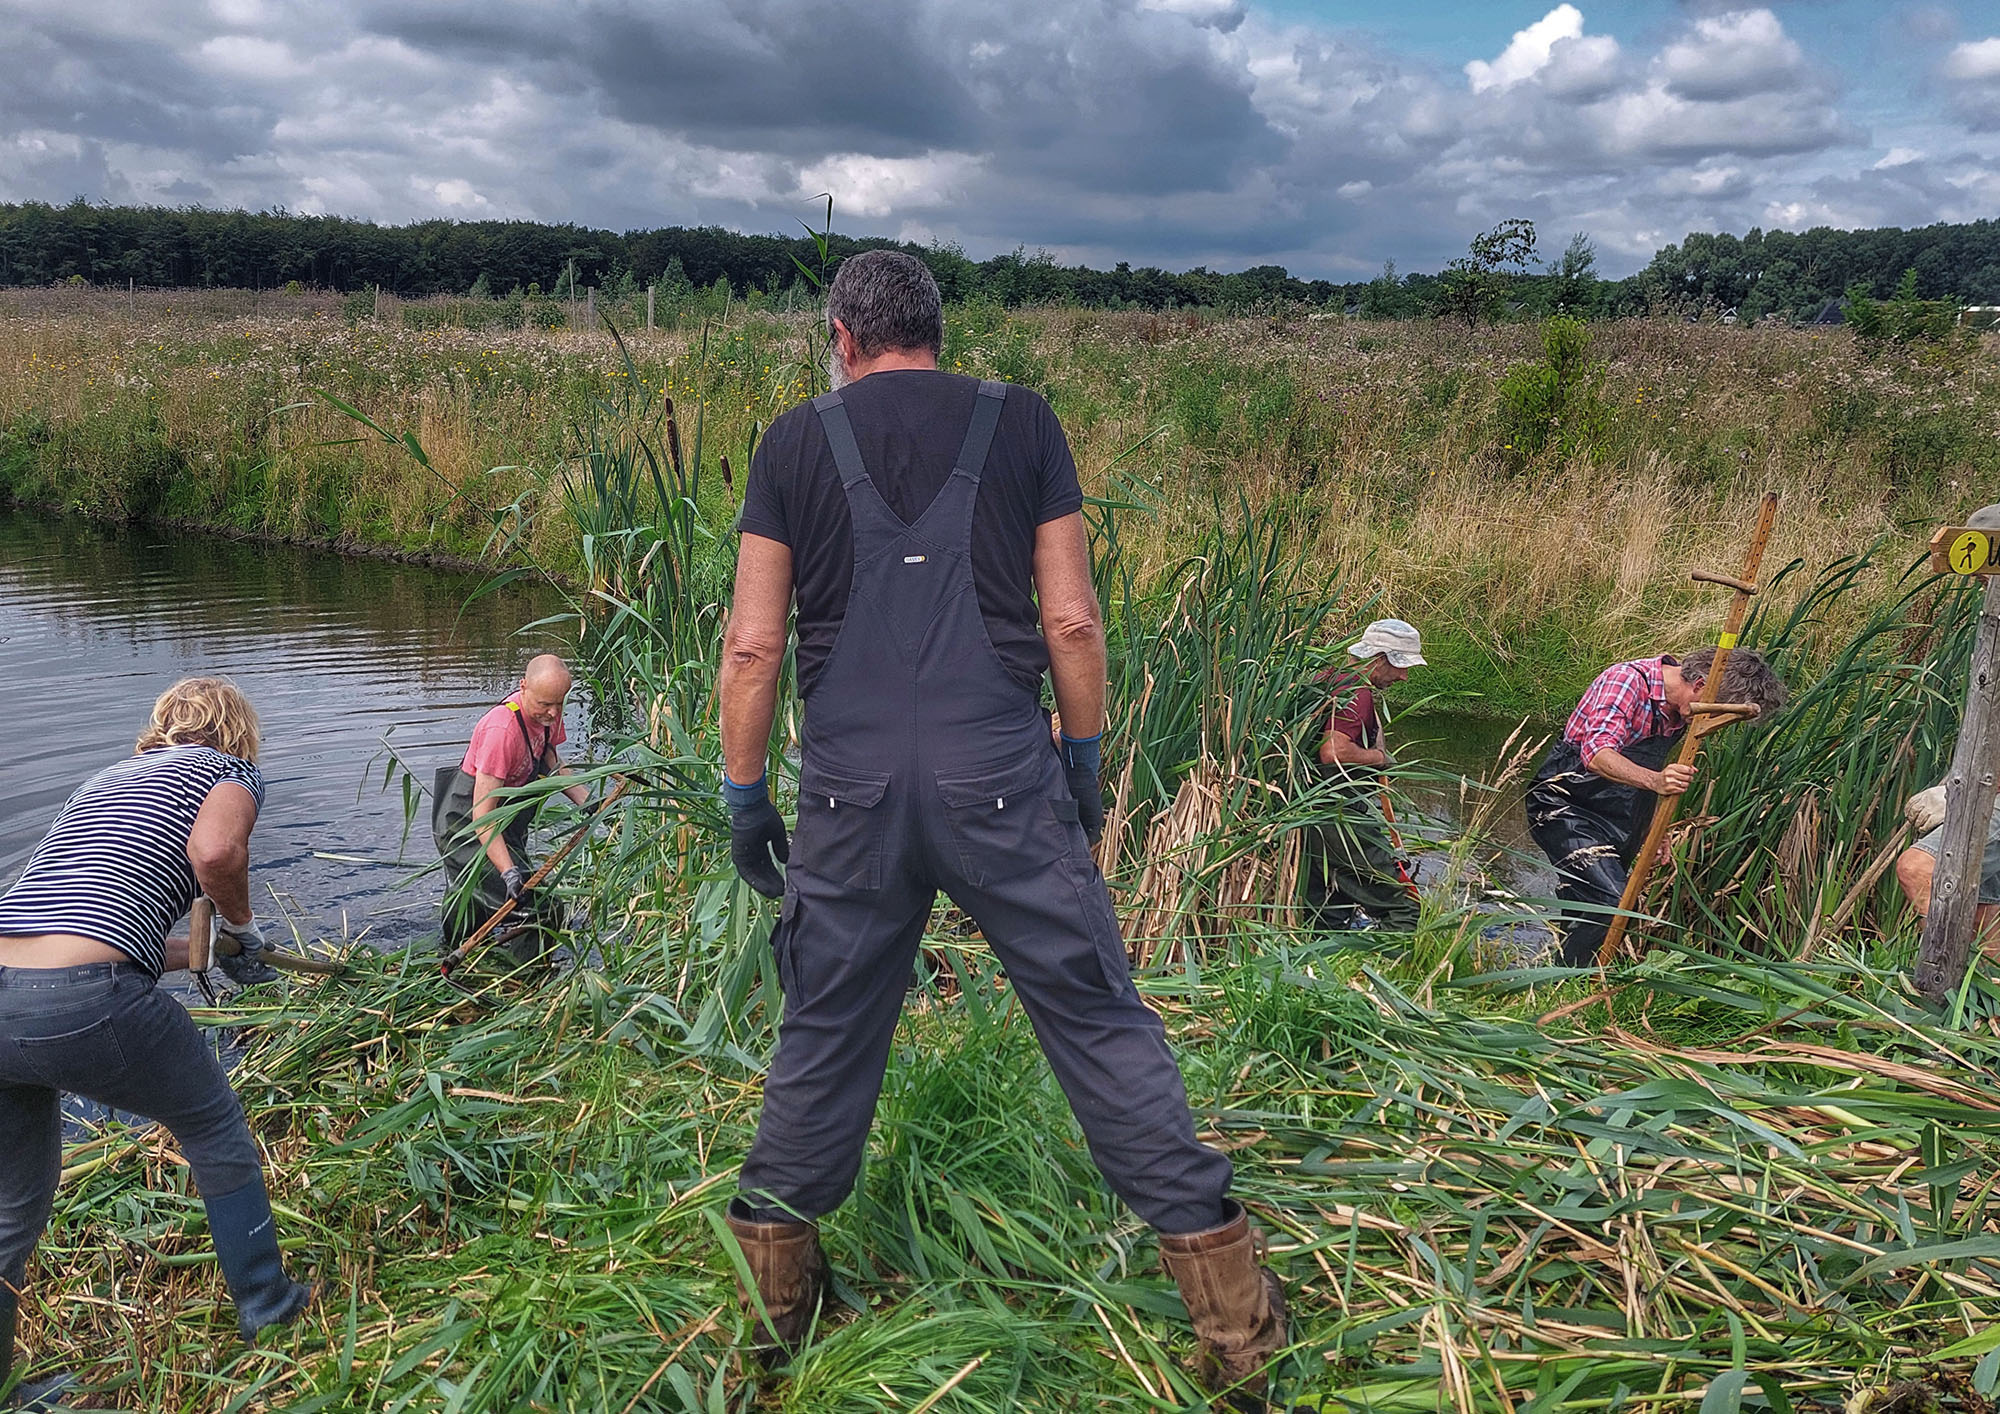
(1591, 829)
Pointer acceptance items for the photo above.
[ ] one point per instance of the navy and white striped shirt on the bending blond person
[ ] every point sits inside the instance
(115, 867)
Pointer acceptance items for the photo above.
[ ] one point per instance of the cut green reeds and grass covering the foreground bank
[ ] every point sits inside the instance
(1737, 1187)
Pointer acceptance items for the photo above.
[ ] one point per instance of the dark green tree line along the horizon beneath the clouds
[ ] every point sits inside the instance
(1763, 273)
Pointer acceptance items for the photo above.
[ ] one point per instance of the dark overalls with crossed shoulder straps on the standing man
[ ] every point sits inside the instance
(927, 765)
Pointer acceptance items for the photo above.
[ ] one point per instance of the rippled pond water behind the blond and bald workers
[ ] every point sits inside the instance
(347, 661)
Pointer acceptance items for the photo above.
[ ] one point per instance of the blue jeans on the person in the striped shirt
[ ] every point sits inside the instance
(103, 1031)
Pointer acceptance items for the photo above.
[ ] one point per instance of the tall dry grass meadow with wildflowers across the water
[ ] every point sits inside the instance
(1383, 447)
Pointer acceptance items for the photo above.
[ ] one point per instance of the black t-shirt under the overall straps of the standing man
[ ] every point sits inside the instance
(909, 425)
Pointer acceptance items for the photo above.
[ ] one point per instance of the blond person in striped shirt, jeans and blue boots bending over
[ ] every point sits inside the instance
(83, 941)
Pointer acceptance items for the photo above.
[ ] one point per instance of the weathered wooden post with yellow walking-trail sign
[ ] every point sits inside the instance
(1969, 795)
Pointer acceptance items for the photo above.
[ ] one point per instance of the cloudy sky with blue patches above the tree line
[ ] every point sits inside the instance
(1319, 135)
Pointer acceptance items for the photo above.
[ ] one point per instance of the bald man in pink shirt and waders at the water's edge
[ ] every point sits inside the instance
(513, 745)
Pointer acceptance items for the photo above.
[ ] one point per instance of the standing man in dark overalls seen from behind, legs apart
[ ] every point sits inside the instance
(931, 599)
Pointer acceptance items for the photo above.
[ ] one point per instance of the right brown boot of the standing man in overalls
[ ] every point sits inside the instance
(1235, 1303)
